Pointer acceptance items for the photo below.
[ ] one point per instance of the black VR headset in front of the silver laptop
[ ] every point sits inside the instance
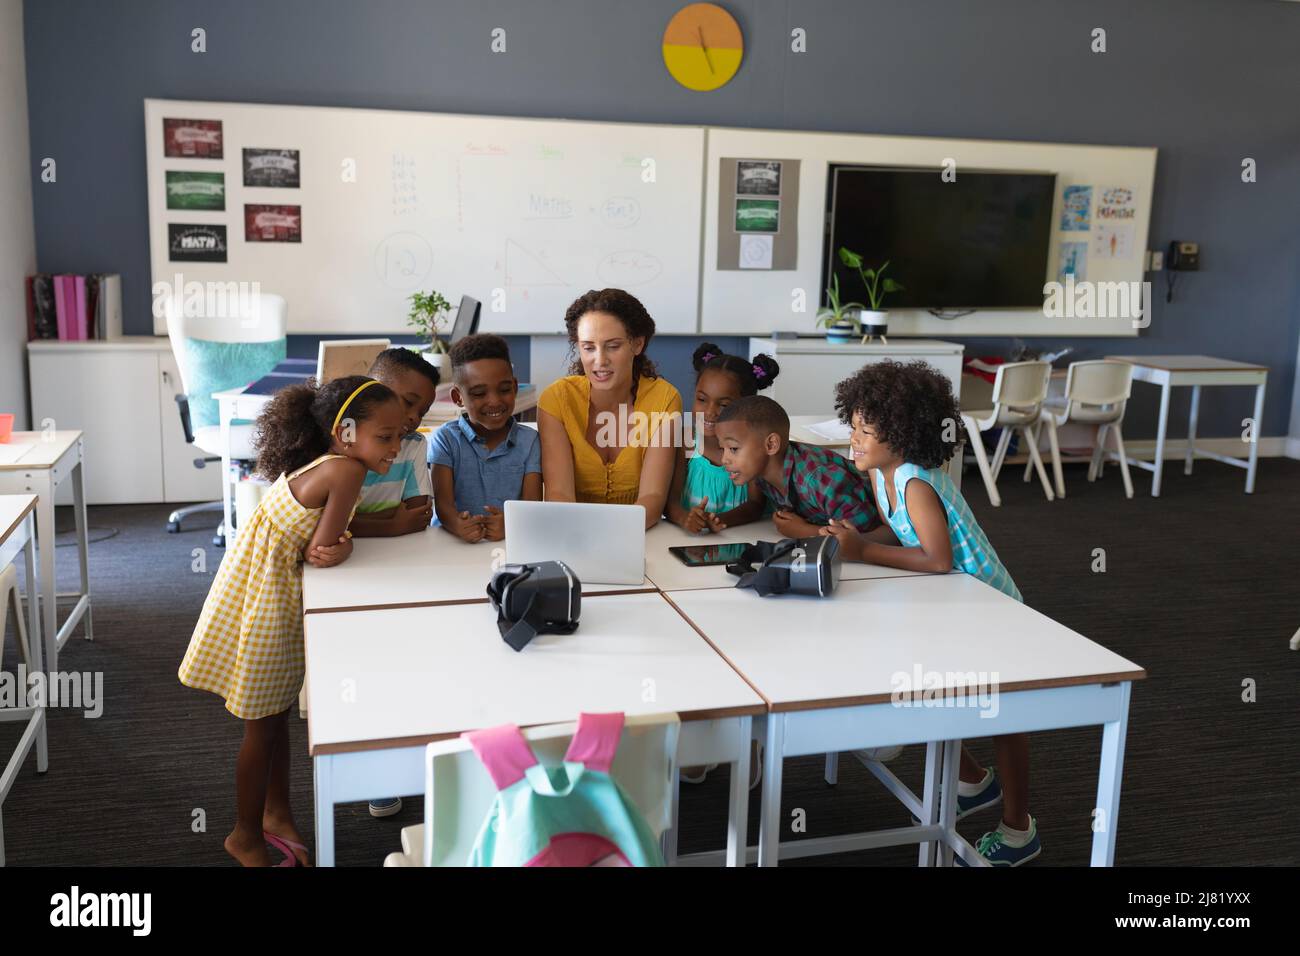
(535, 599)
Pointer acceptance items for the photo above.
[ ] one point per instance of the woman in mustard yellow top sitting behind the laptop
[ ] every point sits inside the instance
(608, 429)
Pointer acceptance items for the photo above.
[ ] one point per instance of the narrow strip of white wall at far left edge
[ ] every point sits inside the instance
(18, 233)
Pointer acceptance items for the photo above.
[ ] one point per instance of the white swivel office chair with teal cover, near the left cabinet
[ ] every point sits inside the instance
(258, 319)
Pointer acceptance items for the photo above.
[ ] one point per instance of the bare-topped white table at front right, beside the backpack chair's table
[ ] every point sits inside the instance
(830, 671)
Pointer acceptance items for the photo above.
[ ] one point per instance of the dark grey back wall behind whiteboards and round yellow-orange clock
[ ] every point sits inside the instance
(1208, 83)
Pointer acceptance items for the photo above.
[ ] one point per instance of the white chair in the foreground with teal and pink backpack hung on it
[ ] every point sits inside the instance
(458, 791)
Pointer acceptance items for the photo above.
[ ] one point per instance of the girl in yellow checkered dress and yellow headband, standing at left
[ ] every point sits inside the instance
(318, 444)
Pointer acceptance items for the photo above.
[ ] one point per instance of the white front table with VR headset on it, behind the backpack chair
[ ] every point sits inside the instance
(384, 684)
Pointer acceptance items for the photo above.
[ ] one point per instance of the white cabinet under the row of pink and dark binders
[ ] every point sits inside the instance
(122, 396)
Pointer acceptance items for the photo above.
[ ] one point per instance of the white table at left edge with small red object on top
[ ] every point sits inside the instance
(53, 458)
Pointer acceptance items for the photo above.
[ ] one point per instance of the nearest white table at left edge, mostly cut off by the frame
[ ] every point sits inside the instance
(18, 535)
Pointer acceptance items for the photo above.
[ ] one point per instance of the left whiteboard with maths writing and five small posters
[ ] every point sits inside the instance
(525, 215)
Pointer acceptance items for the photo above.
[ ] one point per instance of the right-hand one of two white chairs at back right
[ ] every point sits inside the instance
(1097, 393)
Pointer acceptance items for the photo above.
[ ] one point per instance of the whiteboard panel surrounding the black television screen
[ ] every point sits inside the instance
(760, 301)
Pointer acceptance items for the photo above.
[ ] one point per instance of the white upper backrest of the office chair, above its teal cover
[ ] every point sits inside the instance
(255, 318)
